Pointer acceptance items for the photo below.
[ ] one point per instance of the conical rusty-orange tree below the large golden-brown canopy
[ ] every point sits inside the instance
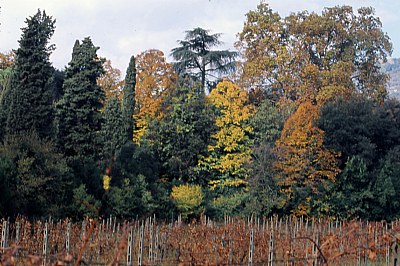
(305, 166)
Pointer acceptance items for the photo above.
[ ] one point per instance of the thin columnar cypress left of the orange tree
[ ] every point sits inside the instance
(128, 100)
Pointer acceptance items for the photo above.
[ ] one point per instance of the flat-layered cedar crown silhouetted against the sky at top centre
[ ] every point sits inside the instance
(194, 55)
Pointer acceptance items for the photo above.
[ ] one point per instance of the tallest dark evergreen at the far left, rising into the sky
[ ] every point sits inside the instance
(30, 99)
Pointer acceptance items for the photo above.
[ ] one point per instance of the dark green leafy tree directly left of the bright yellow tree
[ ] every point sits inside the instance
(183, 134)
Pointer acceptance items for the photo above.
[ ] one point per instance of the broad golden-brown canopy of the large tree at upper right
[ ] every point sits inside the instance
(303, 54)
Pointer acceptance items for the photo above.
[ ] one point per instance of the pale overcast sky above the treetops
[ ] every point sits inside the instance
(122, 28)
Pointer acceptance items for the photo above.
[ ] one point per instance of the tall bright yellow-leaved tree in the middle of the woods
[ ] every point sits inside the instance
(231, 147)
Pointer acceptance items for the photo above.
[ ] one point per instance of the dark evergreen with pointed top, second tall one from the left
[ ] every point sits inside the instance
(78, 111)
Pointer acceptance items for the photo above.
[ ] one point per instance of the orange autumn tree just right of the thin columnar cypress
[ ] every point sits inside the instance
(155, 77)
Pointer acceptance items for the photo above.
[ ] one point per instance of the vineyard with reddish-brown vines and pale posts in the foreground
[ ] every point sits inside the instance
(272, 241)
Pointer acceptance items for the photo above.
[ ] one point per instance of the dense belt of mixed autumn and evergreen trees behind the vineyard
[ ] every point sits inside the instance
(296, 121)
